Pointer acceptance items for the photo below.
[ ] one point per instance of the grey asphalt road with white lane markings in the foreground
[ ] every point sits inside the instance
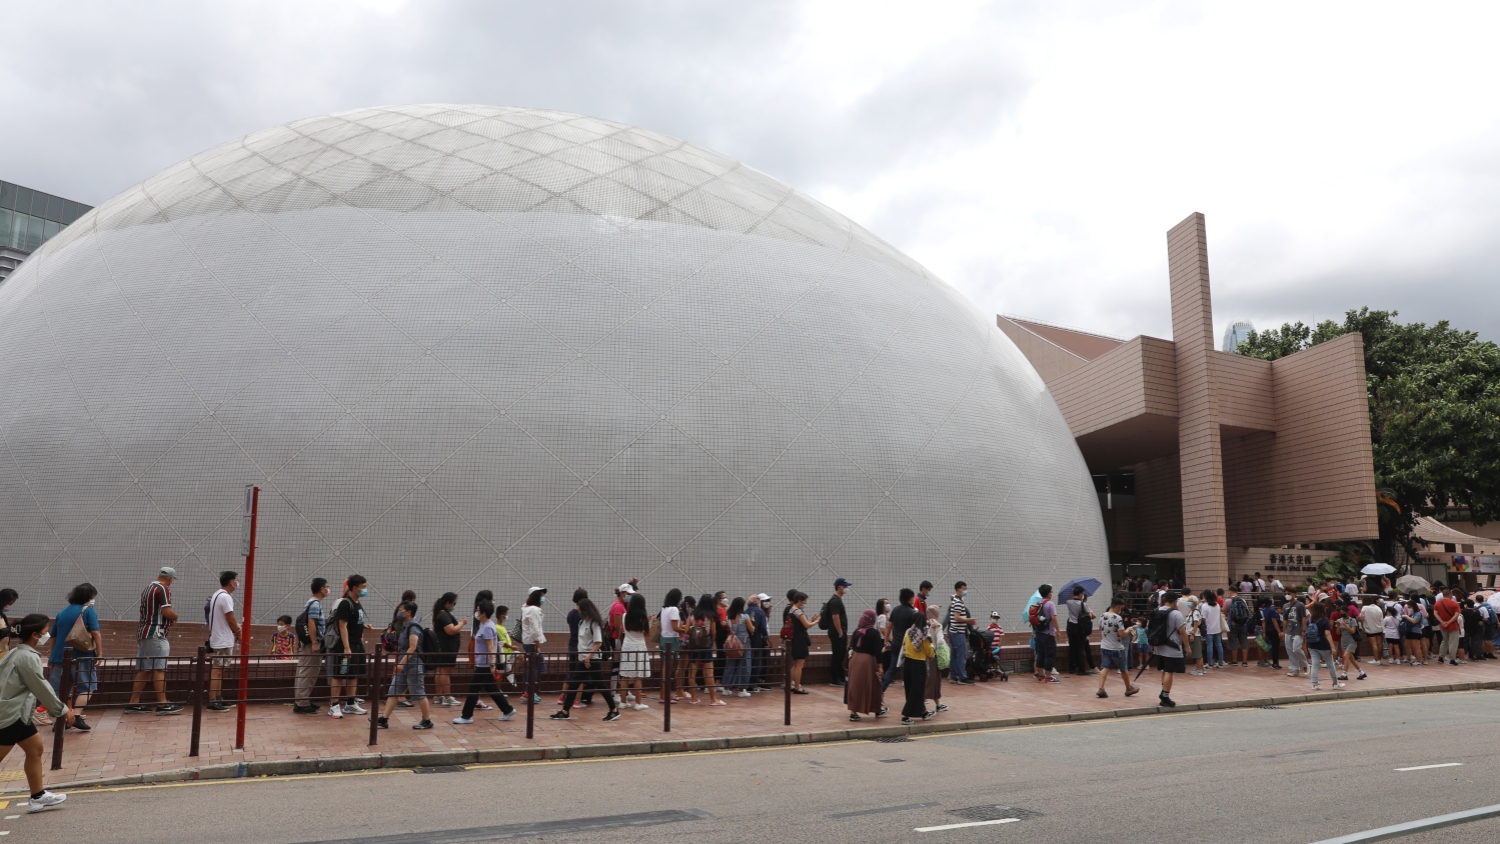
(1298, 774)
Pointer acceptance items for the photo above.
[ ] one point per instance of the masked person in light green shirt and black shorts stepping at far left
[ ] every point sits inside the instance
(22, 689)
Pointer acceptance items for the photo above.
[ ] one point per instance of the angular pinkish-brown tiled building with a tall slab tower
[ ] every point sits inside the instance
(1211, 464)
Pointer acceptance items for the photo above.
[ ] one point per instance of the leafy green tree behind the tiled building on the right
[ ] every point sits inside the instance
(1435, 413)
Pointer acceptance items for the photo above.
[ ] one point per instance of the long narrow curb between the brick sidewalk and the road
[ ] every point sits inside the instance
(397, 761)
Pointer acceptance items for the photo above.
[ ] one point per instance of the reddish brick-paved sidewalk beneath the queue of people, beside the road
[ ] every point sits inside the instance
(133, 746)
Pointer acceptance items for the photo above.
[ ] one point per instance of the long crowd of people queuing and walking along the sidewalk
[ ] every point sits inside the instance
(718, 647)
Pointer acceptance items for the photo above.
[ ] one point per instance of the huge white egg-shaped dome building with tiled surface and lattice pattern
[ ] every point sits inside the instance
(467, 347)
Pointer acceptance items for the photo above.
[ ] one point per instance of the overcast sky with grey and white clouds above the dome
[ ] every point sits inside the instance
(1033, 155)
